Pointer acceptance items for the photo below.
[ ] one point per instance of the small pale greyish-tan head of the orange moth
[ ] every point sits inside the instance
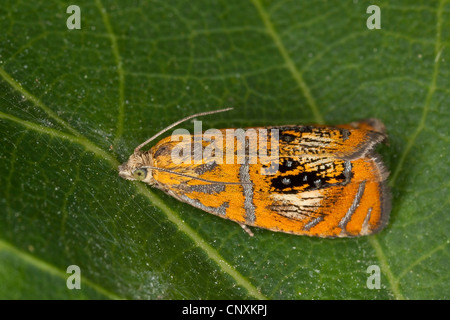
(135, 167)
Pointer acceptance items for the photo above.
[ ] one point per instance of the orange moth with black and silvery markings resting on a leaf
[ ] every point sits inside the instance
(322, 181)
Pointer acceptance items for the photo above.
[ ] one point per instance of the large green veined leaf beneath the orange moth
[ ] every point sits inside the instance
(75, 103)
